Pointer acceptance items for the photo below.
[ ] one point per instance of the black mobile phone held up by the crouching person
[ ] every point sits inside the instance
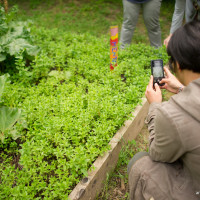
(157, 71)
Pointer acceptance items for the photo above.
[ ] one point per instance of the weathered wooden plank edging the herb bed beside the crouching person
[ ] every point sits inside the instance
(89, 187)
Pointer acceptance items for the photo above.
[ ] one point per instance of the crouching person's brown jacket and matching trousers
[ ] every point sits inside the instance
(172, 171)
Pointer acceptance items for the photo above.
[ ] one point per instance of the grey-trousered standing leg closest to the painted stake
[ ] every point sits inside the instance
(131, 13)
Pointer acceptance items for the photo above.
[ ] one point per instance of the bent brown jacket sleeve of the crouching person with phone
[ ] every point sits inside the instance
(165, 142)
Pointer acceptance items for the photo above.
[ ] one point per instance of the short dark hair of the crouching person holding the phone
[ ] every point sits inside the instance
(184, 47)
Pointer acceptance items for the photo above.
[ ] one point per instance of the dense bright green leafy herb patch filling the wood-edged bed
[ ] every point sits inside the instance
(71, 104)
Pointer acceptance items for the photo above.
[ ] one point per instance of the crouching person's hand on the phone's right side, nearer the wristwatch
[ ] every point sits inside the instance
(172, 84)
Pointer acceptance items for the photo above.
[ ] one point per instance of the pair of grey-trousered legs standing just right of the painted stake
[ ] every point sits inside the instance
(151, 13)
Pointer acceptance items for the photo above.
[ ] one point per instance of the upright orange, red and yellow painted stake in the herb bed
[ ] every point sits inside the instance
(113, 47)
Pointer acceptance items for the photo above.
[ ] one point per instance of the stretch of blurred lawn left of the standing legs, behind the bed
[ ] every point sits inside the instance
(73, 16)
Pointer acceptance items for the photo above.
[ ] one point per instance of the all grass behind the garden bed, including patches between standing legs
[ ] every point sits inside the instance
(86, 16)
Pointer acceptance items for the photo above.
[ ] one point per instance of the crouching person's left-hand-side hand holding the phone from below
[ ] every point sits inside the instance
(153, 94)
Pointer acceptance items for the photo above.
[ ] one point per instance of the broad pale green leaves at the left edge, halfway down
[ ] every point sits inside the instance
(8, 116)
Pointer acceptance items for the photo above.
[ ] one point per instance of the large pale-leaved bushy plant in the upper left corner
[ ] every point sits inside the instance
(15, 38)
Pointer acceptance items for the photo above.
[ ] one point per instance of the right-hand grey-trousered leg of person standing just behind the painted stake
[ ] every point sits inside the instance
(151, 14)
